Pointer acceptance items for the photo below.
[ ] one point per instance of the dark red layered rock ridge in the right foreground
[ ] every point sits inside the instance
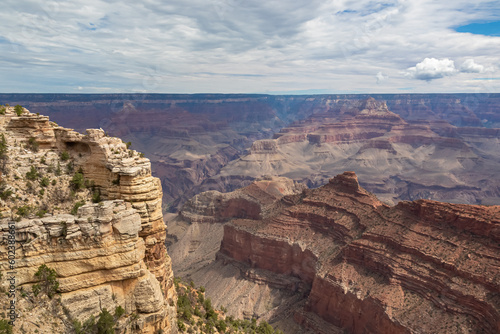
(418, 267)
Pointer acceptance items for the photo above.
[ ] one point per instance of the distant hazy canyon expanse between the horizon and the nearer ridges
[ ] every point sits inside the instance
(201, 142)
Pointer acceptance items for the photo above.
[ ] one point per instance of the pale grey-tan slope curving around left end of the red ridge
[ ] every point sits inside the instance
(195, 236)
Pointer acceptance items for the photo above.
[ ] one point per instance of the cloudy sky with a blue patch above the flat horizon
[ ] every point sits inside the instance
(249, 46)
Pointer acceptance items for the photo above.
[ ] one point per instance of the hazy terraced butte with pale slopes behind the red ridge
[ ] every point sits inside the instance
(396, 159)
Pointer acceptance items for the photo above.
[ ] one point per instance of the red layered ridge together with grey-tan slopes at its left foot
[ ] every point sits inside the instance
(336, 259)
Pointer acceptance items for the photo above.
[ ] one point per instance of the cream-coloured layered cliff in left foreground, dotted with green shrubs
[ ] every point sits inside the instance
(104, 239)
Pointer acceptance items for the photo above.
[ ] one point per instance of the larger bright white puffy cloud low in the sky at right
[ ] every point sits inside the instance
(432, 68)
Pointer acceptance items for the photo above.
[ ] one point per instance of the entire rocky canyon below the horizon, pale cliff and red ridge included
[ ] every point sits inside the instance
(376, 256)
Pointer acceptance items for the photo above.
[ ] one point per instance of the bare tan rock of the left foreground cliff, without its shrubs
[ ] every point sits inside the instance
(108, 254)
